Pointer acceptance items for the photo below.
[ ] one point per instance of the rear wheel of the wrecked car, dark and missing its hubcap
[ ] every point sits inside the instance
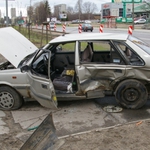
(131, 94)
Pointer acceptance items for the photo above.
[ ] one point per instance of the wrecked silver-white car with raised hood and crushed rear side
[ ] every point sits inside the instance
(74, 67)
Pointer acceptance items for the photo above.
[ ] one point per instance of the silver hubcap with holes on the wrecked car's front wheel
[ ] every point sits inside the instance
(6, 100)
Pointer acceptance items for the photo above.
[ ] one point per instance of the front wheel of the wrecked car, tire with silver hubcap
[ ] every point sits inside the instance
(9, 99)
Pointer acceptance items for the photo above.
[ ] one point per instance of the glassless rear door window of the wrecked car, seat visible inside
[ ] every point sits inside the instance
(102, 52)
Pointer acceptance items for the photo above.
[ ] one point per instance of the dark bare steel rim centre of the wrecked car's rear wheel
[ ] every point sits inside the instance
(131, 95)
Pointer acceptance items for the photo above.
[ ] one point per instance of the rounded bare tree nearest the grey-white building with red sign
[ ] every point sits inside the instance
(89, 8)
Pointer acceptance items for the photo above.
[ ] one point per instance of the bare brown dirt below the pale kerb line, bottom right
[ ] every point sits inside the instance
(126, 137)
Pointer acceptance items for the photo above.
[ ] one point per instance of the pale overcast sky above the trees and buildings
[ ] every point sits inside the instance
(21, 5)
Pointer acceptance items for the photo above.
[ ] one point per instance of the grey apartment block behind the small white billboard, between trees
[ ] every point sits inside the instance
(60, 11)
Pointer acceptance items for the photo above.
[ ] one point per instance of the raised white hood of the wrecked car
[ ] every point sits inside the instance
(14, 46)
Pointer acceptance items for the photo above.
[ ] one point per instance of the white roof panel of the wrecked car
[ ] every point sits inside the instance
(89, 36)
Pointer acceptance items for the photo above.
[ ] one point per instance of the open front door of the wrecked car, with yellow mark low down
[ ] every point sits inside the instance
(41, 86)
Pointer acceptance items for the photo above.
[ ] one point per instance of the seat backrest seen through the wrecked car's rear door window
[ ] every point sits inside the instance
(87, 54)
